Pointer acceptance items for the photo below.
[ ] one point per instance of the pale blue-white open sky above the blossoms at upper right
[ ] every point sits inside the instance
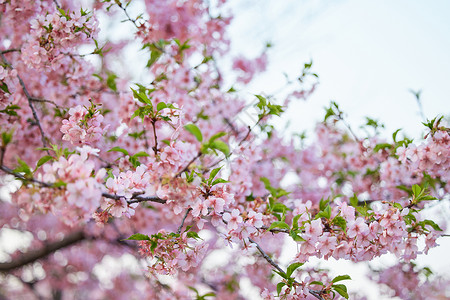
(368, 55)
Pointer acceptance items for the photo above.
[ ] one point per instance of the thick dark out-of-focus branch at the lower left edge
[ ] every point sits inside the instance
(32, 256)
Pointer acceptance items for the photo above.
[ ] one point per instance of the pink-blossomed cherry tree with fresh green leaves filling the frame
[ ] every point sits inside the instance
(166, 170)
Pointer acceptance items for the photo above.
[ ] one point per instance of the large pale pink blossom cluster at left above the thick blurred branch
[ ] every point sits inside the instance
(77, 194)
